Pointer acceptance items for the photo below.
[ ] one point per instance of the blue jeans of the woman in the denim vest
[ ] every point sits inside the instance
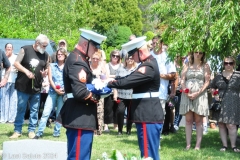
(52, 101)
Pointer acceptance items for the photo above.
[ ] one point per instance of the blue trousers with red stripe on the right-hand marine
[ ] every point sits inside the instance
(149, 139)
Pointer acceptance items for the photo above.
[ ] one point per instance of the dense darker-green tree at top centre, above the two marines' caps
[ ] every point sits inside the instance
(117, 12)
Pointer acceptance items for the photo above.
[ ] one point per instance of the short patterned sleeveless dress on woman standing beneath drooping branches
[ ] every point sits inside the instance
(194, 81)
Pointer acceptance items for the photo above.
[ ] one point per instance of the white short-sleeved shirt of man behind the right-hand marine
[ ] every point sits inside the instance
(165, 67)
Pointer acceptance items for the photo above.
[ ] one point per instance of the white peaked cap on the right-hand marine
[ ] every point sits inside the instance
(136, 43)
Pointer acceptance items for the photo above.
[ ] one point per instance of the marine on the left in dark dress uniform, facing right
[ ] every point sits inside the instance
(79, 113)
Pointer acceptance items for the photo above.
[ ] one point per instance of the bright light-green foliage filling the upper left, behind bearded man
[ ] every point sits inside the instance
(57, 19)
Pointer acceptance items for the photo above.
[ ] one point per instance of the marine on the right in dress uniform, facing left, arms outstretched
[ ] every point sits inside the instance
(146, 110)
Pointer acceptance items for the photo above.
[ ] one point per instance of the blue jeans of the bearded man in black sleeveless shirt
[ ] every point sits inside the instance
(34, 100)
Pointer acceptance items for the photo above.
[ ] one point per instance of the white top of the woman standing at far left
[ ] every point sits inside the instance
(13, 72)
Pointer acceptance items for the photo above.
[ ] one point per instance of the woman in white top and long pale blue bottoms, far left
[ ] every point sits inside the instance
(8, 100)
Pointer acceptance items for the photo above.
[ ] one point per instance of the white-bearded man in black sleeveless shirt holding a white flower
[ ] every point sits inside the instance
(31, 63)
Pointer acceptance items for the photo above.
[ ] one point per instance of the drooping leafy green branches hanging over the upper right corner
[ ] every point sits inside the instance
(208, 25)
